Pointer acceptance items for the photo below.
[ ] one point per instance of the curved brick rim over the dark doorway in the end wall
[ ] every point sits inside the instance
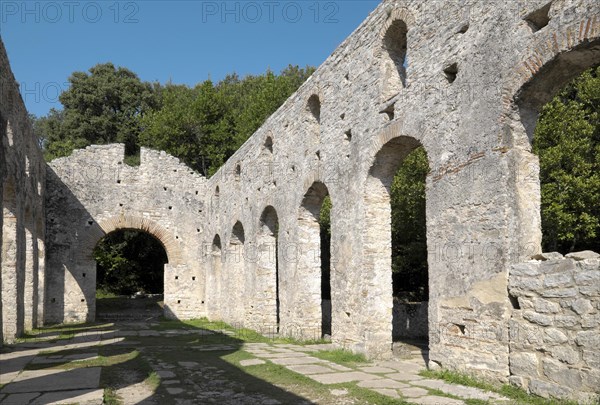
(124, 221)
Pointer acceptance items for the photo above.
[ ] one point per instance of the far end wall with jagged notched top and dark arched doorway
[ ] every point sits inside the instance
(92, 193)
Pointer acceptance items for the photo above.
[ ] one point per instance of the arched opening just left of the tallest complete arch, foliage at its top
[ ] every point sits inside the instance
(315, 263)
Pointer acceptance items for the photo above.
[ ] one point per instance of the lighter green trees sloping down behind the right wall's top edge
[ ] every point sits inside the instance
(205, 125)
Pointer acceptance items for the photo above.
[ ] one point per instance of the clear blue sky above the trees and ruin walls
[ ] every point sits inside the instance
(182, 41)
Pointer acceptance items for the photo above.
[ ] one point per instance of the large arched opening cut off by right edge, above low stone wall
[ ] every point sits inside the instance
(554, 154)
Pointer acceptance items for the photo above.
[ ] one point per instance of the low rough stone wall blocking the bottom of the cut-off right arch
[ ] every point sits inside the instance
(555, 327)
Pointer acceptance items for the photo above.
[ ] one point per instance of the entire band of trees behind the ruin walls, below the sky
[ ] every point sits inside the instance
(203, 125)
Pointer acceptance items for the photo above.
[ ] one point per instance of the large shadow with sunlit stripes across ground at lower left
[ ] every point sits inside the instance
(126, 359)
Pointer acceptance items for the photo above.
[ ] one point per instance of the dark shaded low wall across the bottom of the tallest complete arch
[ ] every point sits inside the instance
(410, 320)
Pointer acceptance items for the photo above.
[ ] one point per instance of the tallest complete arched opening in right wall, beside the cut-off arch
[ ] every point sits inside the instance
(396, 239)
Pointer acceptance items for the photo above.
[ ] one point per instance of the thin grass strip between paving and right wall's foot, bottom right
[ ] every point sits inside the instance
(516, 394)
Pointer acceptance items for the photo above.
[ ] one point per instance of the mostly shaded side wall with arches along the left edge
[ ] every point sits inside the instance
(22, 185)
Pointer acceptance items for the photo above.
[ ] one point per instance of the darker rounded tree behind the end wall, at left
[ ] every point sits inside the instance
(101, 107)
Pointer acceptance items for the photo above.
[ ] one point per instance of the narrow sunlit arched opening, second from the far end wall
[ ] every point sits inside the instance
(236, 269)
